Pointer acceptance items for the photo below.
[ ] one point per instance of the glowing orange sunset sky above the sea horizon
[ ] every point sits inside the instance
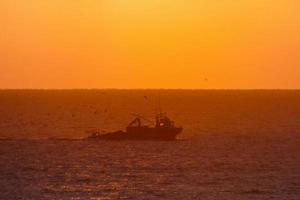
(150, 44)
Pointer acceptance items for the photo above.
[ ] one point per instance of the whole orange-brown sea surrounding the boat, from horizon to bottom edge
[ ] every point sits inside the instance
(235, 144)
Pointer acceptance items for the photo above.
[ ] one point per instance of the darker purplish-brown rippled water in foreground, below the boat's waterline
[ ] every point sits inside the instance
(211, 168)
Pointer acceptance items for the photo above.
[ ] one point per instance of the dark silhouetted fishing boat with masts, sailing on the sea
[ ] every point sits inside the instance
(164, 129)
